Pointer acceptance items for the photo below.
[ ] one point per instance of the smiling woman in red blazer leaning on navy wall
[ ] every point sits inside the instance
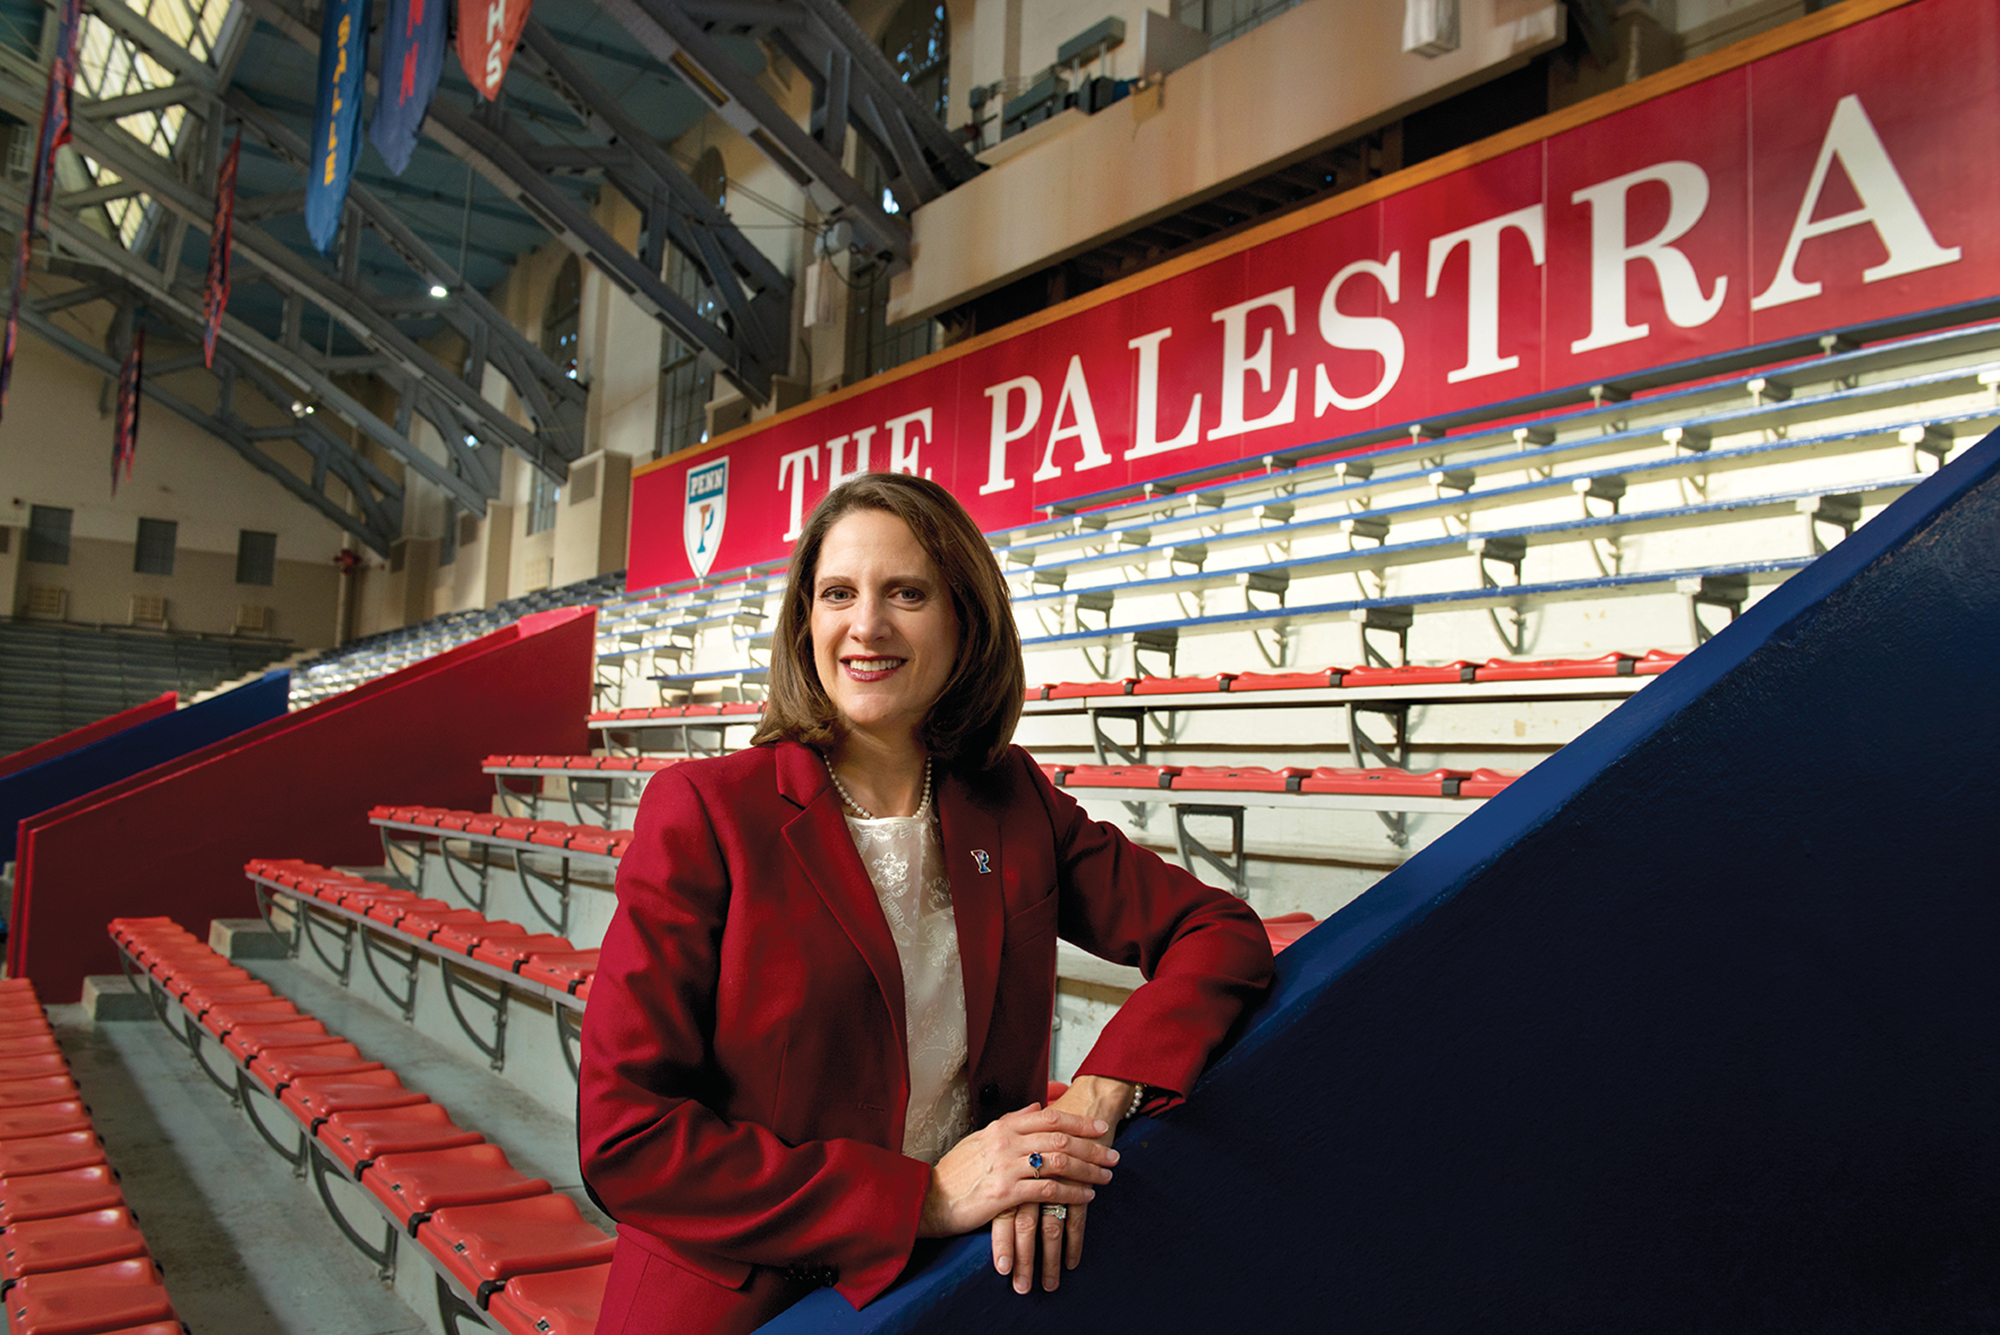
(821, 1020)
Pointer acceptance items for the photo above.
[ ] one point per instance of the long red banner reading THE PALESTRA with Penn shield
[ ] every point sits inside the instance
(1837, 183)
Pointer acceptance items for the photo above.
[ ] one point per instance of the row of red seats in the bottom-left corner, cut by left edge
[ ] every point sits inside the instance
(71, 1254)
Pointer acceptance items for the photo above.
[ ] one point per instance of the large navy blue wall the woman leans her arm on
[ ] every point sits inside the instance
(1697, 1028)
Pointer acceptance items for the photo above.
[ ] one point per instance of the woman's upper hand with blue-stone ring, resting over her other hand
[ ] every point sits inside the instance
(989, 1172)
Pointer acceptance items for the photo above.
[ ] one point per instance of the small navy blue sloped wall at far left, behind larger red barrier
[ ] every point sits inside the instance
(137, 748)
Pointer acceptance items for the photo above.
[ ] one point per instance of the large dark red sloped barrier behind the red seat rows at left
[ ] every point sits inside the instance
(175, 840)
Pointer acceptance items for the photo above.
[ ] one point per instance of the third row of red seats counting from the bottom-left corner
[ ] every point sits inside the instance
(535, 956)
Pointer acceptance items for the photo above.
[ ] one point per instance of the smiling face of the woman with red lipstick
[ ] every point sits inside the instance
(883, 627)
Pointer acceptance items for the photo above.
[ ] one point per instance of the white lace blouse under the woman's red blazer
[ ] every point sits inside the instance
(905, 858)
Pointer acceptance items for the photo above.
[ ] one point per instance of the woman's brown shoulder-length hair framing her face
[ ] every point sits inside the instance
(973, 722)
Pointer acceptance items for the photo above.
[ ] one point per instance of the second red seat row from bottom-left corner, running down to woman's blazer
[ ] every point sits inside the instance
(523, 1252)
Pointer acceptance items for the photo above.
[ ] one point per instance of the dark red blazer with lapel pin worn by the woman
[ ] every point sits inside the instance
(743, 1058)
